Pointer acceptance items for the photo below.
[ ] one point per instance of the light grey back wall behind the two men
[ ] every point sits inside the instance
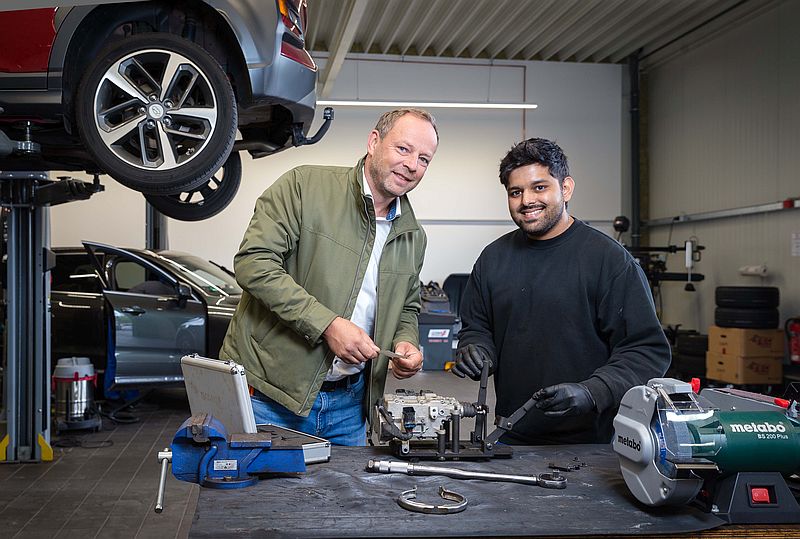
(579, 107)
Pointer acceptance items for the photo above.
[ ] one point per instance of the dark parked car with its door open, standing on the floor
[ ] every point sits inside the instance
(136, 312)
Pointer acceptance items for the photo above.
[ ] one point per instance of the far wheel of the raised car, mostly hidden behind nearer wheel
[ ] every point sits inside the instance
(206, 200)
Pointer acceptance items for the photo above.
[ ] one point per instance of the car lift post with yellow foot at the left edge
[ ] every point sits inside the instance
(27, 197)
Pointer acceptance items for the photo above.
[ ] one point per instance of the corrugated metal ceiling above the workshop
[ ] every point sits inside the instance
(607, 31)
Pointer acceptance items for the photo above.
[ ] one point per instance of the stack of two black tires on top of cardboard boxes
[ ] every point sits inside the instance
(748, 307)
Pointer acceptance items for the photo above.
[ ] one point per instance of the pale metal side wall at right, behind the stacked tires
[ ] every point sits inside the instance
(724, 132)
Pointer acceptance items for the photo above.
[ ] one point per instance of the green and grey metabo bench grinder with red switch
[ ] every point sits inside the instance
(731, 455)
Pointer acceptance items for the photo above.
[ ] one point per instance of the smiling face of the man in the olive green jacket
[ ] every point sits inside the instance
(397, 162)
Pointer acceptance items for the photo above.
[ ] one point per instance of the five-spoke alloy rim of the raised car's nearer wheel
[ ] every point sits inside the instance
(155, 109)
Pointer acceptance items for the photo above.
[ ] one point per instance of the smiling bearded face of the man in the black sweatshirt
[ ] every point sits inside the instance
(537, 202)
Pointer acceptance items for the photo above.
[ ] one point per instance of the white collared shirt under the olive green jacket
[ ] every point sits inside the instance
(364, 312)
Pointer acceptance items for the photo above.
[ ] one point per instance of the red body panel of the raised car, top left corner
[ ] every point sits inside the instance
(26, 38)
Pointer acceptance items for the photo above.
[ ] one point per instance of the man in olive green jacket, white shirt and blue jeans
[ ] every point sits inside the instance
(330, 270)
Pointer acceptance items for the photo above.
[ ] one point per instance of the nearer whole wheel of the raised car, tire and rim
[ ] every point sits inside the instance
(157, 113)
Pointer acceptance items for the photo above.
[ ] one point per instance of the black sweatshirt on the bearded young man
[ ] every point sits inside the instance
(575, 308)
